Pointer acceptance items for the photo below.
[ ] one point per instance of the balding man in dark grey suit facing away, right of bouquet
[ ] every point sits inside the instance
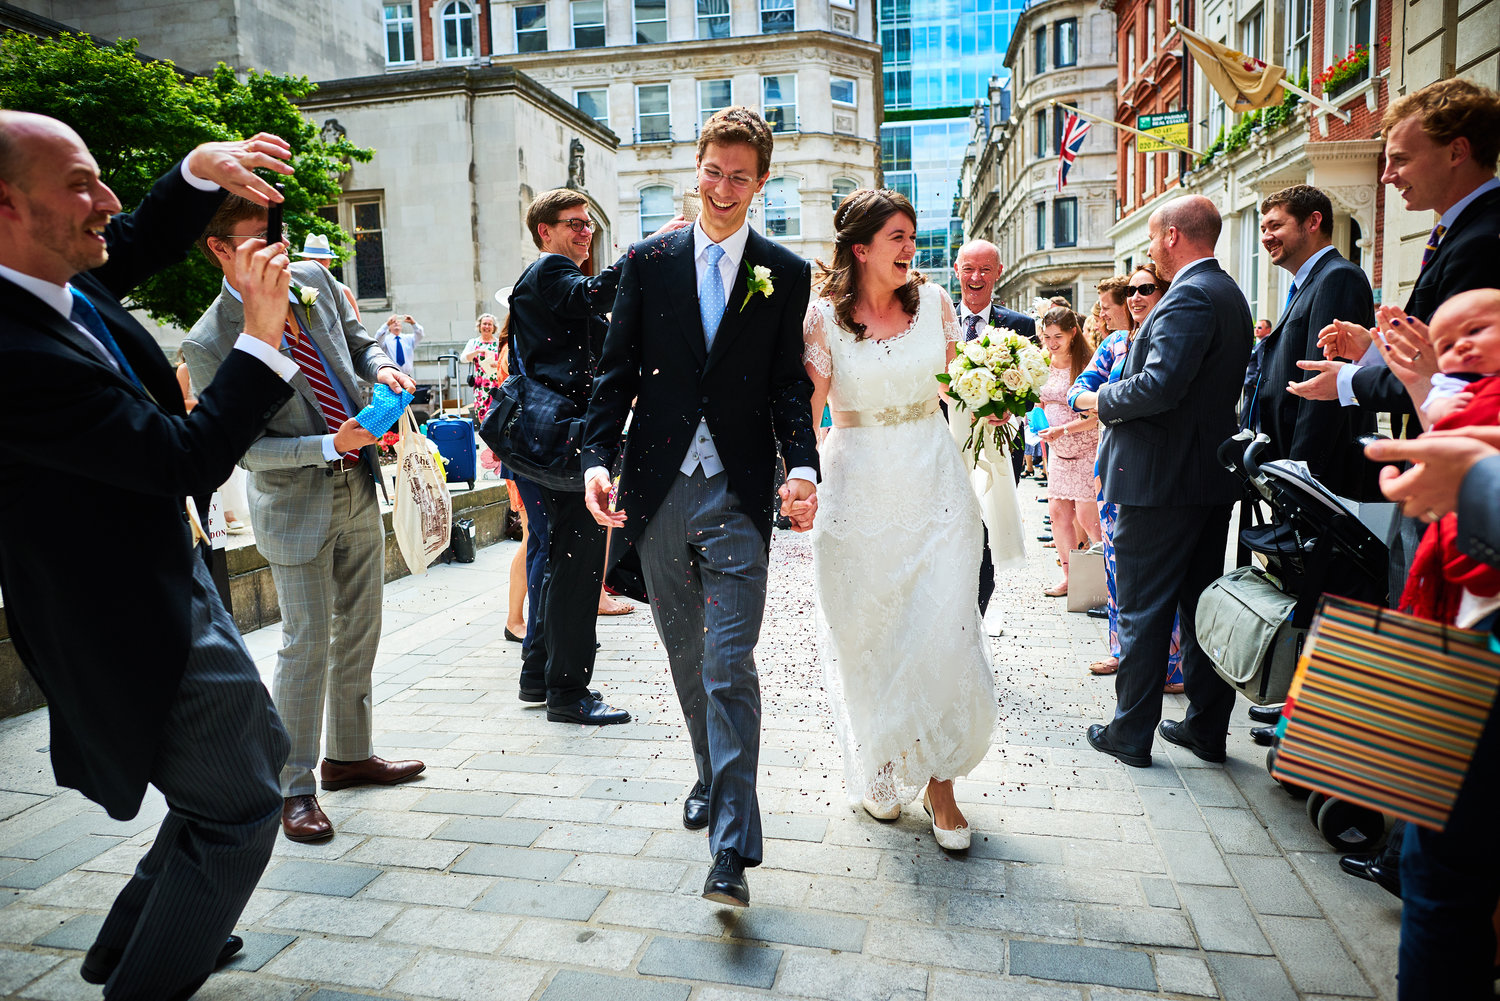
(1166, 419)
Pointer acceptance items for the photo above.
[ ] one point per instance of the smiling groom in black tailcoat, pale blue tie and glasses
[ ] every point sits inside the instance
(716, 389)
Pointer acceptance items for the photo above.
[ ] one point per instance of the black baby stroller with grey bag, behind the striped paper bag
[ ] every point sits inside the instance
(1253, 622)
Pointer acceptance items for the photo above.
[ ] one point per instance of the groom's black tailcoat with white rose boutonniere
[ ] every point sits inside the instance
(752, 388)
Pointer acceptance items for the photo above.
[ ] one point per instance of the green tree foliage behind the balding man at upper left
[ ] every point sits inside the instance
(140, 119)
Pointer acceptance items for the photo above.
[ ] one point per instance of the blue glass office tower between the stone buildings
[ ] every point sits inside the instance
(940, 56)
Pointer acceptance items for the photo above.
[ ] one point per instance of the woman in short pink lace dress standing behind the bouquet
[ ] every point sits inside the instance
(1070, 464)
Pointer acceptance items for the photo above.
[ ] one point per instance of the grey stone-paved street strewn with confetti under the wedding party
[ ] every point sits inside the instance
(541, 861)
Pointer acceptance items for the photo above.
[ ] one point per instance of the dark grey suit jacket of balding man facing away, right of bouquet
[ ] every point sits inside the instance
(1175, 401)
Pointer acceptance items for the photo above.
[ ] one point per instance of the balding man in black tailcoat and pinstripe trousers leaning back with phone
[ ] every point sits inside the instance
(151, 685)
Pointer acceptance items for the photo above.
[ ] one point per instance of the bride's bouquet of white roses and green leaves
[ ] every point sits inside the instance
(995, 374)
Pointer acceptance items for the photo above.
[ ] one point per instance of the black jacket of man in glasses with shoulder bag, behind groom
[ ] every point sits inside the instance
(557, 326)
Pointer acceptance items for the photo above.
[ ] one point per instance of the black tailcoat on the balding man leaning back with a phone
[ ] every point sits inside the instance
(107, 637)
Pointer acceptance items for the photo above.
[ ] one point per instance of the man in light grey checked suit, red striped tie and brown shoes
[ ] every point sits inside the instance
(316, 520)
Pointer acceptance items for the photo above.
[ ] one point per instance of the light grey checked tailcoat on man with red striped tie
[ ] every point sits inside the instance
(289, 485)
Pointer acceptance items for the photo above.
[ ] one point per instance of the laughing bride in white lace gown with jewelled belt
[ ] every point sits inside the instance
(896, 549)
